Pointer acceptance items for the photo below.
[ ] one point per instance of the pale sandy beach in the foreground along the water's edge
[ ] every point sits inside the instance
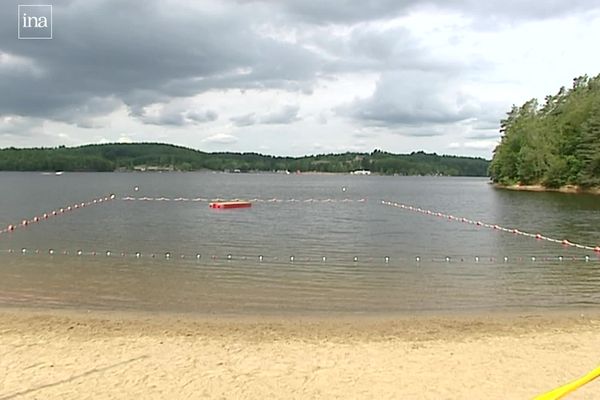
(77, 355)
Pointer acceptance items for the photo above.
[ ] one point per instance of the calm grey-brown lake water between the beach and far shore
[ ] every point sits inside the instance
(347, 225)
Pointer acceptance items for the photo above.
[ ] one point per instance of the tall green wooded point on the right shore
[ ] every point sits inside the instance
(552, 144)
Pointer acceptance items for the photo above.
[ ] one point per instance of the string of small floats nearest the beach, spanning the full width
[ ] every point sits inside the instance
(279, 259)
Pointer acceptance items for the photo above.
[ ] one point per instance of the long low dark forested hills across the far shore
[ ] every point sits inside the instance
(152, 156)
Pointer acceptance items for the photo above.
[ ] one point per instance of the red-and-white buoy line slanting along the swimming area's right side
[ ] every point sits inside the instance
(515, 231)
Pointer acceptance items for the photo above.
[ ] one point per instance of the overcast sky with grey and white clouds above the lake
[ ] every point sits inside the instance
(289, 77)
